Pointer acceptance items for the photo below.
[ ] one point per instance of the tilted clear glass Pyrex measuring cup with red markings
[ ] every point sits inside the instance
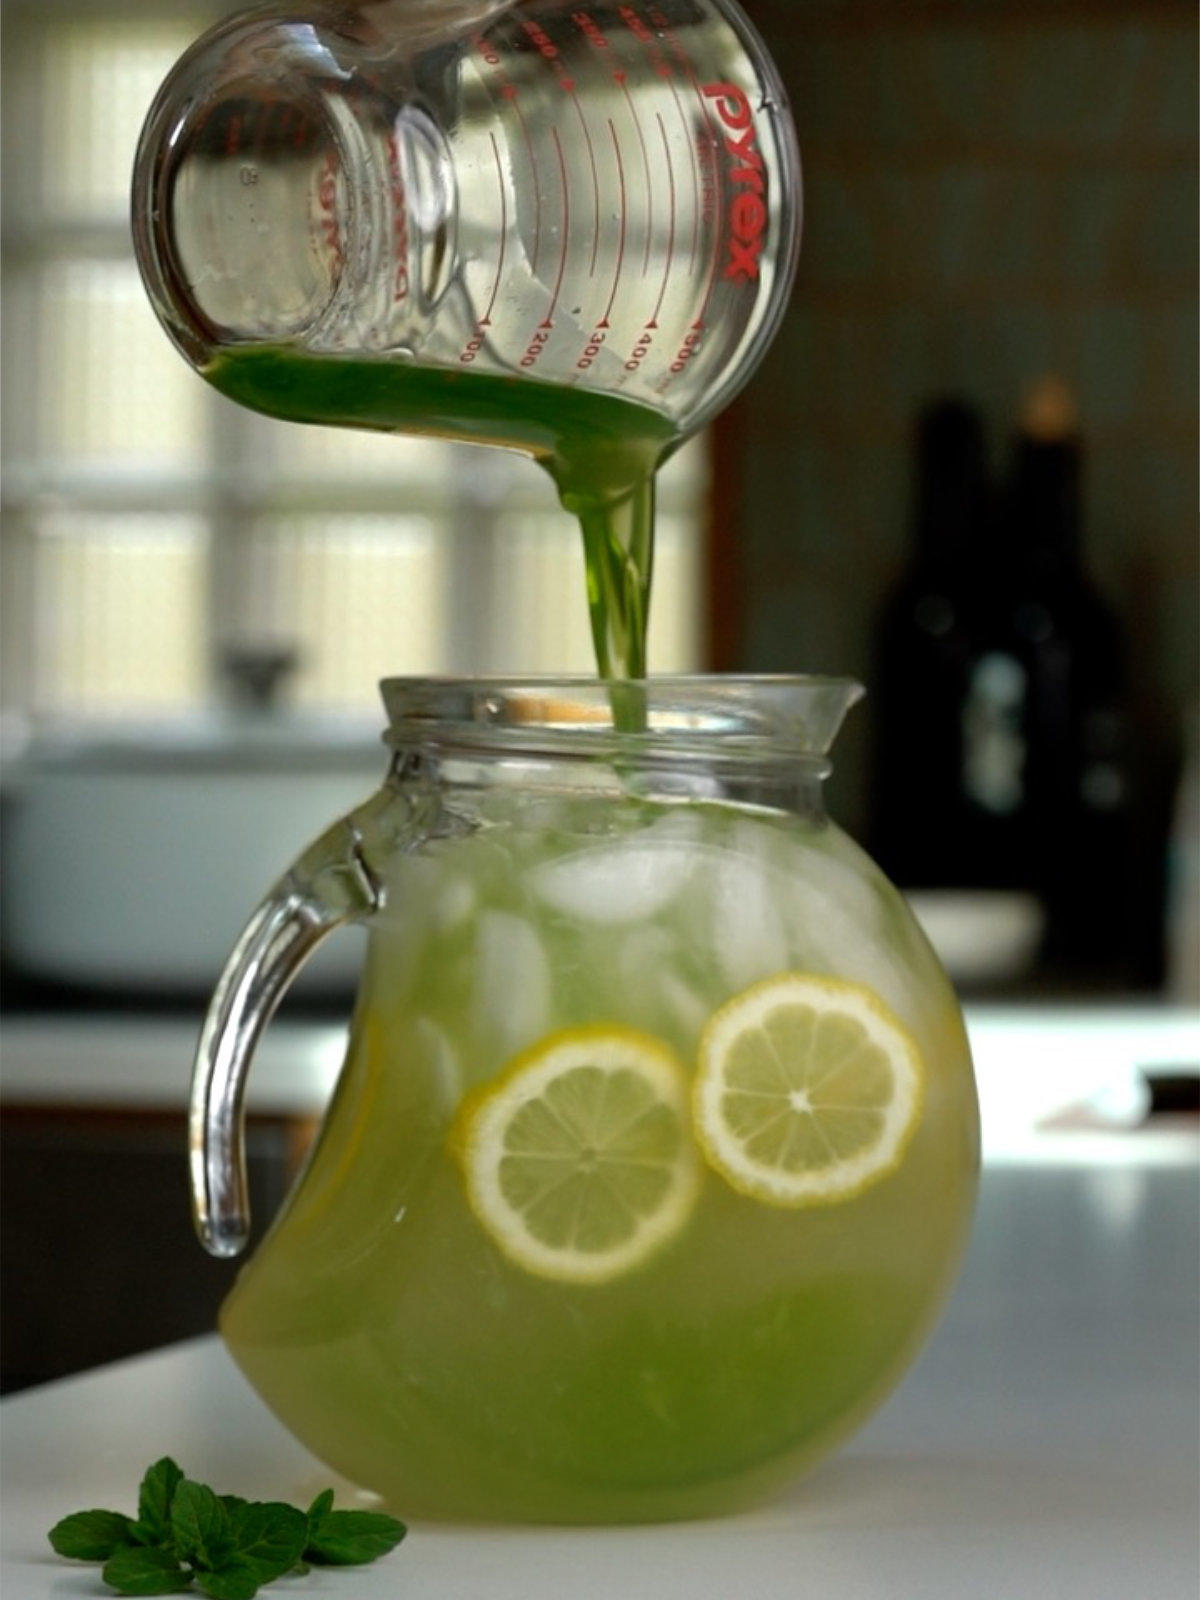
(594, 194)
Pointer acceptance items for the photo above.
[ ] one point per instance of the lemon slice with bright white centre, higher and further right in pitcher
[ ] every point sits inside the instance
(807, 1090)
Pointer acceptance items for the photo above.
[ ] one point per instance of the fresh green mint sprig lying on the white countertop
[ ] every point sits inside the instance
(186, 1535)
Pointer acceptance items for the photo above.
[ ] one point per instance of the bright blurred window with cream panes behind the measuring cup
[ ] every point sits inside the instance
(151, 527)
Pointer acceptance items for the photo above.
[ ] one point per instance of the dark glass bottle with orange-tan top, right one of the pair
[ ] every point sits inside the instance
(1052, 791)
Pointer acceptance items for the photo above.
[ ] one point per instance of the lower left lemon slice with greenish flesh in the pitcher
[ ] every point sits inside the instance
(578, 1159)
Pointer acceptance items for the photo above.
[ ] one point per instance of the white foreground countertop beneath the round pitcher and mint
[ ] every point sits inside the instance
(1047, 1446)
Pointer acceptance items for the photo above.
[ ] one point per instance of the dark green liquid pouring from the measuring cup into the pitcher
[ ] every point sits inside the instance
(601, 452)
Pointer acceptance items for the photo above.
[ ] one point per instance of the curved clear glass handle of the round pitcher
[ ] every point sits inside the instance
(329, 886)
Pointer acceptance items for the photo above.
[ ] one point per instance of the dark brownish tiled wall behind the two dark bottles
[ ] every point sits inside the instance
(993, 191)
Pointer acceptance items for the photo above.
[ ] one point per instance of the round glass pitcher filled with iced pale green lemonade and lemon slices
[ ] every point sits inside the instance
(574, 935)
